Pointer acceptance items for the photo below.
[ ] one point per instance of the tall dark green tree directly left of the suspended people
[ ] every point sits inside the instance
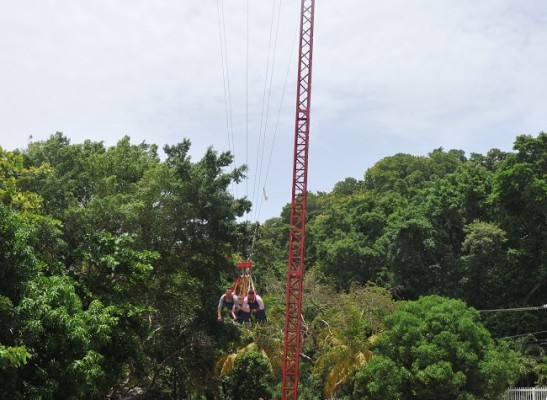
(193, 215)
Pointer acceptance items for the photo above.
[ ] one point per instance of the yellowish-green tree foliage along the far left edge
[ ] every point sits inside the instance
(20, 231)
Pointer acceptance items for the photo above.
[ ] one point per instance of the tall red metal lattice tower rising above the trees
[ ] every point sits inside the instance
(297, 233)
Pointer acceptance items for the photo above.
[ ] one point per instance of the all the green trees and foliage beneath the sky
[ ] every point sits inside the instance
(112, 261)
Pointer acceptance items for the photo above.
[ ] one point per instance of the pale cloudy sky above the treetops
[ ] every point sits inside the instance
(389, 76)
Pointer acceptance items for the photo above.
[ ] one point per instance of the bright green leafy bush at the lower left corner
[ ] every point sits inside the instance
(52, 322)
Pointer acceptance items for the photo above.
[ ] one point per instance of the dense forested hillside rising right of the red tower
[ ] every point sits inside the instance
(442, 224)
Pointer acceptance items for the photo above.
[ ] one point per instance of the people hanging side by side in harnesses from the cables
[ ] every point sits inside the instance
(241, 308)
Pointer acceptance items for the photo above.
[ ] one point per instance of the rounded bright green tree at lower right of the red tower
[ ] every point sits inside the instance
(436, 348)
